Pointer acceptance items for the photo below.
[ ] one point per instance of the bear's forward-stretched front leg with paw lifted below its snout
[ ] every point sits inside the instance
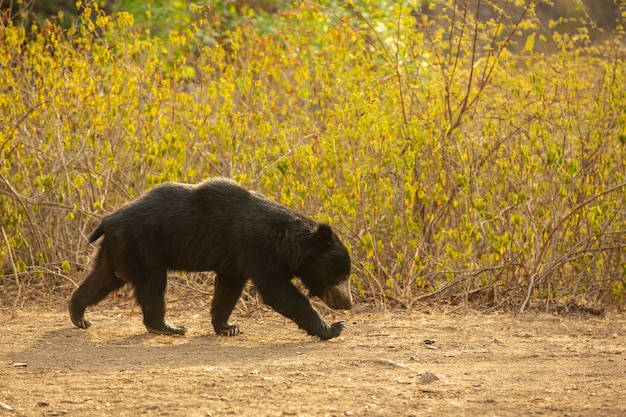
(291, 303)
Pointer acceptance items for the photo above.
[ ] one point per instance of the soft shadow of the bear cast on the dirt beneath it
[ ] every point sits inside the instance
(77, 349)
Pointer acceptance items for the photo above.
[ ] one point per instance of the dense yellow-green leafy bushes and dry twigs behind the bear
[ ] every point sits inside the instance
(468, 152)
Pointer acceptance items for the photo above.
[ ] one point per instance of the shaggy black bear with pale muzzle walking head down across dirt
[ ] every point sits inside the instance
(218, 226)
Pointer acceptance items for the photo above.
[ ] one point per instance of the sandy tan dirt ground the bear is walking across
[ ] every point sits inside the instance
(384, 364)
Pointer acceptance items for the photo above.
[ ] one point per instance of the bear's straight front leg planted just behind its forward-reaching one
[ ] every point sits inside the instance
(228, 289)
